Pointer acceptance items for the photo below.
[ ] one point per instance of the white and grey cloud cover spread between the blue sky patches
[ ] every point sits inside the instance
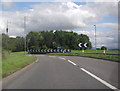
(63, 16)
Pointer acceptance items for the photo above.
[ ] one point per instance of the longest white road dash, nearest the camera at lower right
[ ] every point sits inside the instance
(99, 79)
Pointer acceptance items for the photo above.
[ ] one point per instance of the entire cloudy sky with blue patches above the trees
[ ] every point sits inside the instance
(79, 17)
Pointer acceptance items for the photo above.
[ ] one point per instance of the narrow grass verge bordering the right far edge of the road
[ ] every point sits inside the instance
(100, 56)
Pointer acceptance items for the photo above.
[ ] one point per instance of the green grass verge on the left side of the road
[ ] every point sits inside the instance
(15, 62)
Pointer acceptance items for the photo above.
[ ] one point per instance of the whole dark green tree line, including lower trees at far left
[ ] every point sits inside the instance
(47, 40)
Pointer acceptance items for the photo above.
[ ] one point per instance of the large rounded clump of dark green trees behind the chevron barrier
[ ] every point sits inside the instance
(50, 39)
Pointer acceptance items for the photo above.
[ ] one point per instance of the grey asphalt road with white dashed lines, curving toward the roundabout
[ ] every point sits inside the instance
(65, 72)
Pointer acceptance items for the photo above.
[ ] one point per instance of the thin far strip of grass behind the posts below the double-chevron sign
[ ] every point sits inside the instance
(98, 51)
